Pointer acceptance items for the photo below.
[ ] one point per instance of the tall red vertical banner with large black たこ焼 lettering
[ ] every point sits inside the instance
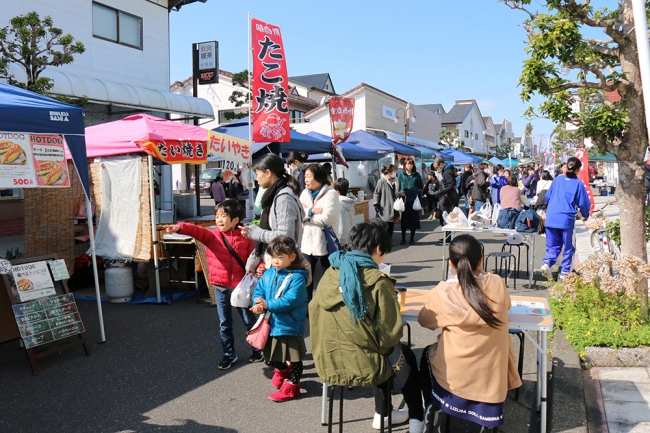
(270, 84)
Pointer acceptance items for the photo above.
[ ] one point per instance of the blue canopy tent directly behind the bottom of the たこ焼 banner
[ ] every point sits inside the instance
(302, 142)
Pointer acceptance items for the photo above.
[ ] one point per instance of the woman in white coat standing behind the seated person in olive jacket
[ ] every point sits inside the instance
(322, 208)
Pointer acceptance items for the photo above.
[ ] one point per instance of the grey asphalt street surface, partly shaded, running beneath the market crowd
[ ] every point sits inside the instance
(158, 372)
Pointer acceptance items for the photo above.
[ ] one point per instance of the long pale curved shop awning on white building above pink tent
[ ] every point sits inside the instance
(123, 95)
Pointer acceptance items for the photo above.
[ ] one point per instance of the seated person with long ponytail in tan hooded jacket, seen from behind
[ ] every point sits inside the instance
(471, 366)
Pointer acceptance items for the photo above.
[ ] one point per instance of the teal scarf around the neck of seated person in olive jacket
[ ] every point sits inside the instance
(349, 262)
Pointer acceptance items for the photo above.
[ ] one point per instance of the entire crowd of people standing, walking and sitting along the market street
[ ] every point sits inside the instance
(353, 313)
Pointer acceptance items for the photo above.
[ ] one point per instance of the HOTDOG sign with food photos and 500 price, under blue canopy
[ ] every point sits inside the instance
(32, 161)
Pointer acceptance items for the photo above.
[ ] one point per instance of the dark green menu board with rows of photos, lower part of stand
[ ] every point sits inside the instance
(49, 319)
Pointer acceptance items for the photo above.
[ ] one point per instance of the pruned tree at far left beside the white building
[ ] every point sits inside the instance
(35, 45)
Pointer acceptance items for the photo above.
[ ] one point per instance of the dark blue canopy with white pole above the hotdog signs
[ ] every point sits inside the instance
(31, 113)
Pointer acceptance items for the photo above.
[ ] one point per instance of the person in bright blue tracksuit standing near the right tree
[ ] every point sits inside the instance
(565, 194)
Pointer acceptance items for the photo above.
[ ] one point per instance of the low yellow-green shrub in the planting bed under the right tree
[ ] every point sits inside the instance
(591, 317)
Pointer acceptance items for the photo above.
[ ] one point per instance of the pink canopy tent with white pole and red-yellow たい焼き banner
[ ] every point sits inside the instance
(140, 133)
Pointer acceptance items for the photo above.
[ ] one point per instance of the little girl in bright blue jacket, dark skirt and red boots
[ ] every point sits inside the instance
(282, 291)
